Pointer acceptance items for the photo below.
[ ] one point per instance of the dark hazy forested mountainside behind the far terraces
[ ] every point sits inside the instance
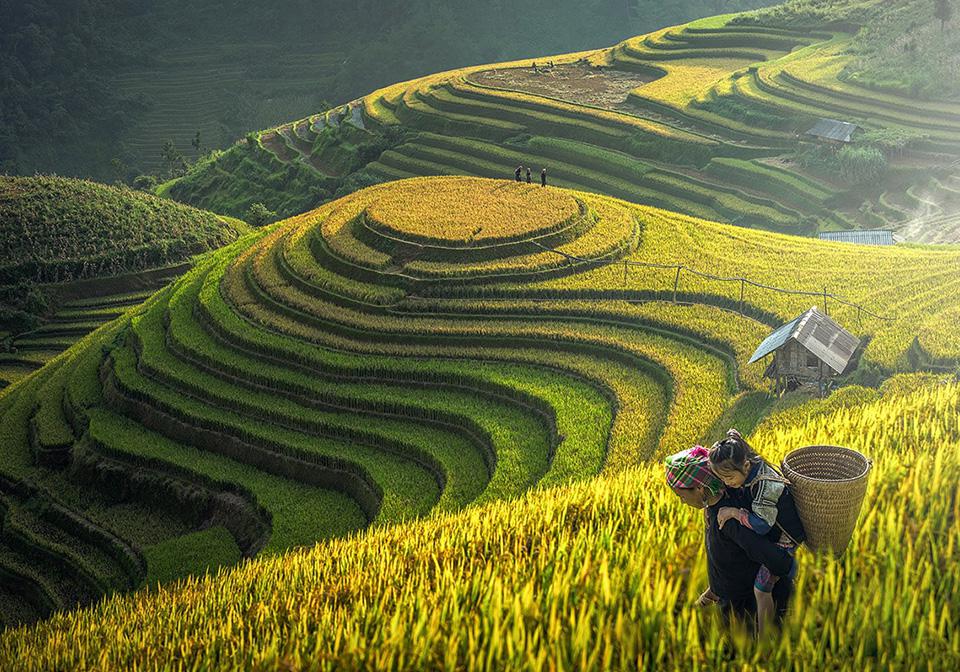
(79, 78)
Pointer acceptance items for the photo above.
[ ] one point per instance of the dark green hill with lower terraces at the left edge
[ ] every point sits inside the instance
(75, 253)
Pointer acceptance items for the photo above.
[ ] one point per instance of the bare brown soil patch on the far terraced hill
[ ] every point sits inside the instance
(578, 83)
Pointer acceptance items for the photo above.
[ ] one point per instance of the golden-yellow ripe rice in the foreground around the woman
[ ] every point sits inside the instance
(597, 575)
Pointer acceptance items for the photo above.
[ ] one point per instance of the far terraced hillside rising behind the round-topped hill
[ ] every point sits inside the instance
(708, 119)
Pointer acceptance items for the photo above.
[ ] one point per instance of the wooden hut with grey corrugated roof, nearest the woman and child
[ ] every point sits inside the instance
(809, 349)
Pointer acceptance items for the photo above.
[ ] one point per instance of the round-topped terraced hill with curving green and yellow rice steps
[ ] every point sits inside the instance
(366, 363)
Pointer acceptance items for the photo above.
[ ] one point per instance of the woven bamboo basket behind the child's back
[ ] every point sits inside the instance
(828, 485)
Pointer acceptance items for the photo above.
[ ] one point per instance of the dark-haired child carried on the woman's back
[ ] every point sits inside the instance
(738, 466)
